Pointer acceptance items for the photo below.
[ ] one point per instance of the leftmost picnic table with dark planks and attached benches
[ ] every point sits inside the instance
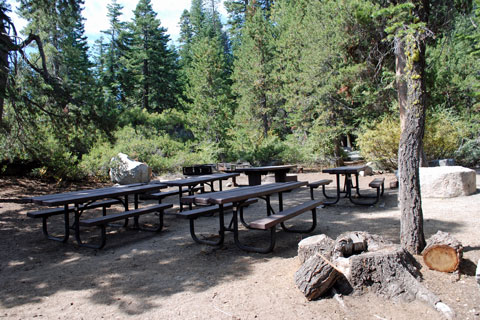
(79, 201)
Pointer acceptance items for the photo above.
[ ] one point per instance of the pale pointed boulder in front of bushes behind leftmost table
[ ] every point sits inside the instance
(124, 170)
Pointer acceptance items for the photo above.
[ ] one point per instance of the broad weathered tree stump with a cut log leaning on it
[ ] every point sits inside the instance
(368, 263)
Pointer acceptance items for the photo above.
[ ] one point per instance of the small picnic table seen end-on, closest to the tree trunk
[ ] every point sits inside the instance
(348, 185)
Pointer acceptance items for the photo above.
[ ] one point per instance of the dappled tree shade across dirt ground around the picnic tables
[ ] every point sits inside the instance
(141, 265)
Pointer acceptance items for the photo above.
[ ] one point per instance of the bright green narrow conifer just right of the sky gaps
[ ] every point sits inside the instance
(207, 73)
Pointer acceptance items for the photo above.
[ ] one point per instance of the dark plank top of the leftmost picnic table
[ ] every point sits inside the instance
(82, 196)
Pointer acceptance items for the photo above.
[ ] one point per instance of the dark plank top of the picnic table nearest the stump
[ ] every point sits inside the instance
(244, 193)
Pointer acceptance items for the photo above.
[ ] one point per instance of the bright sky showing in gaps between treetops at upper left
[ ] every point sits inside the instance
(95, 13)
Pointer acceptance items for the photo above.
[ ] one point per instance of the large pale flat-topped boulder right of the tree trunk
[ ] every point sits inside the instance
(447, 182)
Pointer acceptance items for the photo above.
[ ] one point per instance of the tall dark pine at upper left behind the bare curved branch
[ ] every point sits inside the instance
(59, 24)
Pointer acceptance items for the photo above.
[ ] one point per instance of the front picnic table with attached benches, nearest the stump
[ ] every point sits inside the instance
(237, 199)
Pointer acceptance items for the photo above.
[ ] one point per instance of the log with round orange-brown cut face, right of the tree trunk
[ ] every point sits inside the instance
(443, 252)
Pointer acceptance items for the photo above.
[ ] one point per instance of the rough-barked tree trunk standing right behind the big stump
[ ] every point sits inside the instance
(410, 53)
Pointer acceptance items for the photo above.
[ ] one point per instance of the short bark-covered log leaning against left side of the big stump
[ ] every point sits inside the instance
(316, 276)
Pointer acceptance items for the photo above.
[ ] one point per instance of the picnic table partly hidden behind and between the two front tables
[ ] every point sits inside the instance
(191, 183)
